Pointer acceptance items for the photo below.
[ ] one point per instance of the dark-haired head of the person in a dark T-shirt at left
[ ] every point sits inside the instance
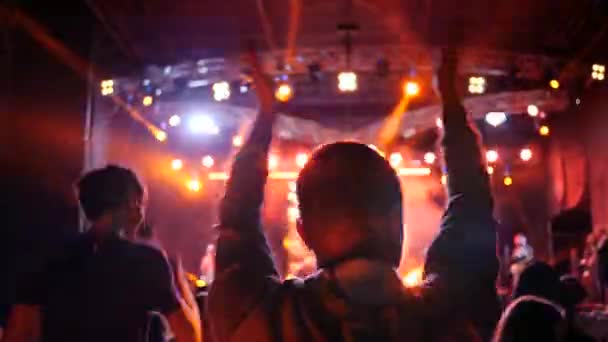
(112, 198)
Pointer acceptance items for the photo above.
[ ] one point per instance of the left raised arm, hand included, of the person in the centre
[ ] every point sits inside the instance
(244, 266)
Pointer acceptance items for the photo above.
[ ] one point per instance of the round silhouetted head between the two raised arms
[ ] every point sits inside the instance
(350, 205)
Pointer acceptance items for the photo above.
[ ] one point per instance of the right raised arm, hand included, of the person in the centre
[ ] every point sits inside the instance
(462, 258)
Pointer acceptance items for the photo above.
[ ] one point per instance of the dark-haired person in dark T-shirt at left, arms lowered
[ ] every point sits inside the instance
(103, 285)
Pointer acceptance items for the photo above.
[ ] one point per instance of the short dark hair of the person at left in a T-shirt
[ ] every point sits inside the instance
(105, 189)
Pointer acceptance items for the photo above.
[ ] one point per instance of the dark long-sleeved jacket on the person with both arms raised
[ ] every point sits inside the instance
(248, 302)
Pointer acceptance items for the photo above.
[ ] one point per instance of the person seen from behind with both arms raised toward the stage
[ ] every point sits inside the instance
(351, 217)
